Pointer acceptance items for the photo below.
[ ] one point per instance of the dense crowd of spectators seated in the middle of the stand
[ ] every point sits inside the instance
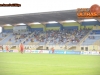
(51, 36)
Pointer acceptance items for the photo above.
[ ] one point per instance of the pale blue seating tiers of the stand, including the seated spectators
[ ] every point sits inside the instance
(61, 37)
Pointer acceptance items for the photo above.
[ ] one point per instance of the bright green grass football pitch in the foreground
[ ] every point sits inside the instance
(48, 64)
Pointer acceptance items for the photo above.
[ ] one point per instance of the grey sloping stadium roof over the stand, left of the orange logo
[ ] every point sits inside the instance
(39, 17)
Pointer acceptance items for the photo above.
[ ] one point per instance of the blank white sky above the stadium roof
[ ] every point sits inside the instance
(35, 6)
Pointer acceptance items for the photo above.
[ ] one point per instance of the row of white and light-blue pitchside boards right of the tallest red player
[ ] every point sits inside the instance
(63, 52)
